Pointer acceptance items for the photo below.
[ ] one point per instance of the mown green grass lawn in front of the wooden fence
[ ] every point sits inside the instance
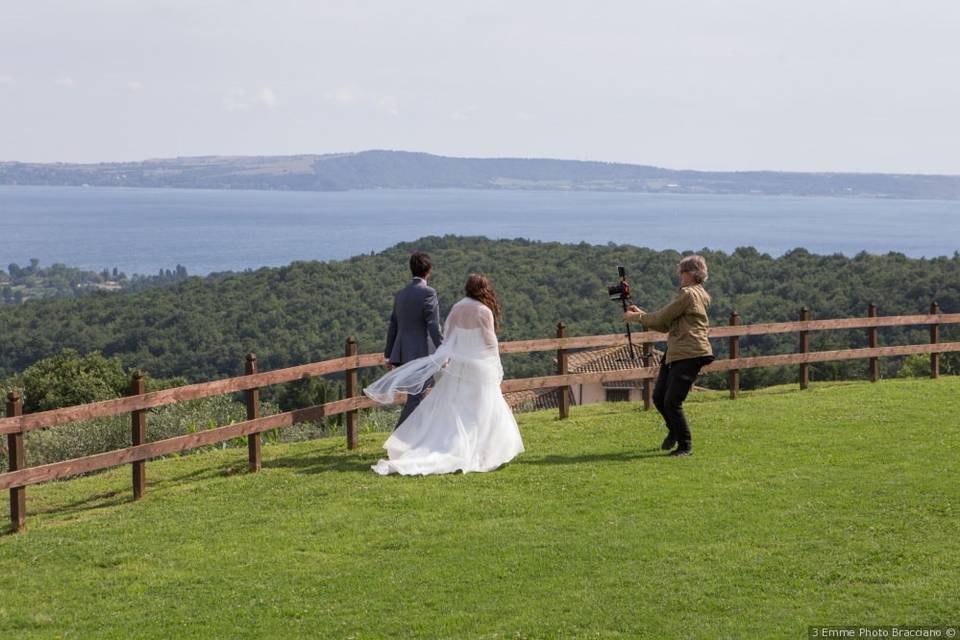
(837, 505)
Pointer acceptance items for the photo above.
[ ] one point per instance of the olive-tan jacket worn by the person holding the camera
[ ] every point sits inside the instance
(685, 320)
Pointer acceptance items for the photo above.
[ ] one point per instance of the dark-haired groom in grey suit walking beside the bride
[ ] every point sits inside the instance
(414, 324)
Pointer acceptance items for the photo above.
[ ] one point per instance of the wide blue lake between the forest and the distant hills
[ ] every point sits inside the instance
(144, 230)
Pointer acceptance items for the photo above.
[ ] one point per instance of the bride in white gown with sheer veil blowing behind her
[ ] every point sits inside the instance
(464, 424)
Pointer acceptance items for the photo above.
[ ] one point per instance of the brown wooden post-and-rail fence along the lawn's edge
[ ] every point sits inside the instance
(16, 425)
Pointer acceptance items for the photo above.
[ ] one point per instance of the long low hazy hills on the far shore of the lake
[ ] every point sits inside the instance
(406, 170)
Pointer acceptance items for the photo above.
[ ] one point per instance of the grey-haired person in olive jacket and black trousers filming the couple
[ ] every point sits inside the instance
(688, 349)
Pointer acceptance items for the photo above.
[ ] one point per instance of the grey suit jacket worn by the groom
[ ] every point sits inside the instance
(414, 323)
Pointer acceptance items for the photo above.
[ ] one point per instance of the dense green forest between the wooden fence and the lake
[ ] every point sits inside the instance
(200, 328)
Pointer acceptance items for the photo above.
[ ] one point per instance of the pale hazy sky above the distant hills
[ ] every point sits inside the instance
(806, 85)
